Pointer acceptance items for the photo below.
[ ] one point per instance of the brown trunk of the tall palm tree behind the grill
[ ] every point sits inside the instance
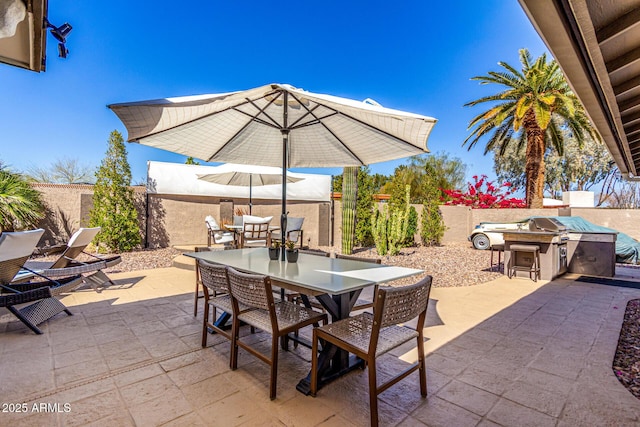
(534, 168)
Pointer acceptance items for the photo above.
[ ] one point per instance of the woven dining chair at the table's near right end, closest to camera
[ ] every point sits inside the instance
(370, 335)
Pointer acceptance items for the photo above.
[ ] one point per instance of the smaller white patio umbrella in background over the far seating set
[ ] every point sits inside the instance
(242, 175)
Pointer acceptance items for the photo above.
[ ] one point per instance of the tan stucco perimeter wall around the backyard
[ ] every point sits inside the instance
(179, 220)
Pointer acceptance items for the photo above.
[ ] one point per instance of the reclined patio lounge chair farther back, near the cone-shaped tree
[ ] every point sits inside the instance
(67, 264)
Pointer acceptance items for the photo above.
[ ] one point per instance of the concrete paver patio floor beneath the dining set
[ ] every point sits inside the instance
(510, 352)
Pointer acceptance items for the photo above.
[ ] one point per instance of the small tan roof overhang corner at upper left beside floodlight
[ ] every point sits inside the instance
(26, 48)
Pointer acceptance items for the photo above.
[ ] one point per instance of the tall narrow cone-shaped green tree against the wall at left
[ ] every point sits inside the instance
(113, 205)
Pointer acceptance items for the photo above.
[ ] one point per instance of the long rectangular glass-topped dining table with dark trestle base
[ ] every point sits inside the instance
(336, 284)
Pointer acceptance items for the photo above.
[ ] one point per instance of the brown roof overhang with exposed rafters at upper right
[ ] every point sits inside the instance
(597, 44)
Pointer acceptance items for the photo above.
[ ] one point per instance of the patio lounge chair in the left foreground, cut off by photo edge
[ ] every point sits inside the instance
(35, 299)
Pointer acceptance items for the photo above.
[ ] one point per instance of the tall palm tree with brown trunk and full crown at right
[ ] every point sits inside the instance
(533, 110)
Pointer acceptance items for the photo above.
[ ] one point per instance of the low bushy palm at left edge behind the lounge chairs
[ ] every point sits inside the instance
(21, 206)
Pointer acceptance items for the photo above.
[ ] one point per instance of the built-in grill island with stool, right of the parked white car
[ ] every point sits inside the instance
(561, 251)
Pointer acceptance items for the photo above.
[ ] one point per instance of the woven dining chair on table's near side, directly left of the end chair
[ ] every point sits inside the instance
(276, 318)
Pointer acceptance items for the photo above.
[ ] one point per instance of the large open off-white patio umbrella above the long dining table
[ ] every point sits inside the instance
(276, 125)
